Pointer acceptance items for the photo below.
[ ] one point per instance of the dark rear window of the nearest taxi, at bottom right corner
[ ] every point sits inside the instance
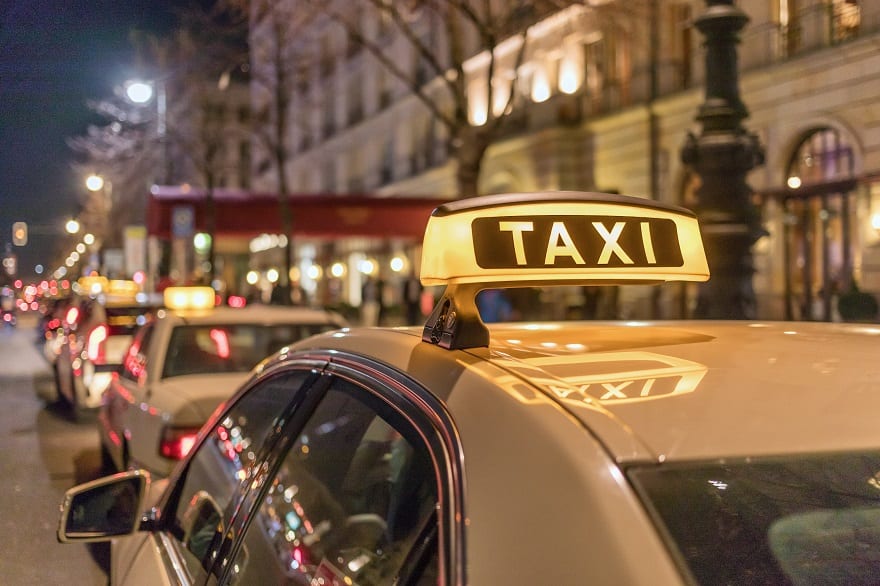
(797, 521)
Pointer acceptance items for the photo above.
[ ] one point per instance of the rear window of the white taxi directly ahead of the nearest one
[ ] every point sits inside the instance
(202, 349)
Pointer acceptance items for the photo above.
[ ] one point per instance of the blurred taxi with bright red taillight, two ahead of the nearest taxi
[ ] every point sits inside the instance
(97, 330)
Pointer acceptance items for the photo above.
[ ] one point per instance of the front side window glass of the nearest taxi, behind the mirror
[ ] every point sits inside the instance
(223, 465)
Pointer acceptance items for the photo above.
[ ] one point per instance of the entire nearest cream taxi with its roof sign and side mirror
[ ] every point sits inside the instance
(583, 452)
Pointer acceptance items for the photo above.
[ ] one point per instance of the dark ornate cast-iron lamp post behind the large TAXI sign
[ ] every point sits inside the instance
(722, 155)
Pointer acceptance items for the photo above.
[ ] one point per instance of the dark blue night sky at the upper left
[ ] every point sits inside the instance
(55, 55)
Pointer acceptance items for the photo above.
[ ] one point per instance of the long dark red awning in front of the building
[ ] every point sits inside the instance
(239, 213)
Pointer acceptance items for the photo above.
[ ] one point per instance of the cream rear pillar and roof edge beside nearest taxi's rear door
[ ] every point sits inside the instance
(510, 433)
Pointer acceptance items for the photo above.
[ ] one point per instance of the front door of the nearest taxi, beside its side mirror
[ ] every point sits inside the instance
(205, 493)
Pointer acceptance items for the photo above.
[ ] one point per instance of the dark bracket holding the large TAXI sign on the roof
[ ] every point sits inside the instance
(455, 322)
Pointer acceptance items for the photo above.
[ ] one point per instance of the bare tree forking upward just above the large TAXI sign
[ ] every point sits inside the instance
(467, 29)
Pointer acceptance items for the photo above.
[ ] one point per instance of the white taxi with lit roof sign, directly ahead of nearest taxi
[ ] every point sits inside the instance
(182, 365)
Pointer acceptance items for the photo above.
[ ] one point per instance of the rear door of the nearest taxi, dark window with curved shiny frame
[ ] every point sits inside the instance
(355, 496)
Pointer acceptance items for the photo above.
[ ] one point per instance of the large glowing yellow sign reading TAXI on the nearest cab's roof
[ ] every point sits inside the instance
(561, 238)
